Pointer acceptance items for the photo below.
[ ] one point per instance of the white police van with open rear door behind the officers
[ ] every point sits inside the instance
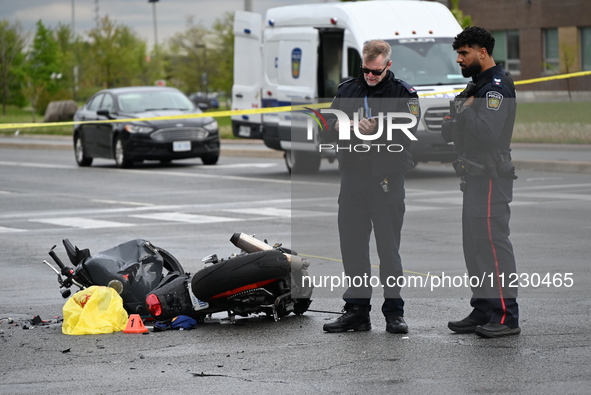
(301, 53)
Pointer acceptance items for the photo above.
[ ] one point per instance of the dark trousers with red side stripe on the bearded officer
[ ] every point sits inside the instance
(487, 249)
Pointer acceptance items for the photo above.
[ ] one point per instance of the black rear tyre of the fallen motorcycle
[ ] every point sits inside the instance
(236, 273)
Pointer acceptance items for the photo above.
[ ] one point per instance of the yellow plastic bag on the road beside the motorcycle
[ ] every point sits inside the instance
(93, 311)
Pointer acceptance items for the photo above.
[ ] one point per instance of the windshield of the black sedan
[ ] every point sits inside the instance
(154, 100)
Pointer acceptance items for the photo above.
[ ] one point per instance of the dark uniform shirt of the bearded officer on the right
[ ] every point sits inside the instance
(488, 122)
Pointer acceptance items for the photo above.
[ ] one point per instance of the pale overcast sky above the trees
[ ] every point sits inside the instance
(171, 15)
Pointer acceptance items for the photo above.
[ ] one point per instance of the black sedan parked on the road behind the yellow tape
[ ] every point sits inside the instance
(137, 140)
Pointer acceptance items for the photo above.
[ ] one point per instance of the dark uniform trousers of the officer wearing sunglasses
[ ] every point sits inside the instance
(364, 205)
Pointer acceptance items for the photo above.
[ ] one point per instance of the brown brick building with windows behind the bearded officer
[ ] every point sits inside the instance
(538, 38)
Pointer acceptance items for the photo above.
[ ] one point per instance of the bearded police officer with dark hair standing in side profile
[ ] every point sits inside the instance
(481, 126)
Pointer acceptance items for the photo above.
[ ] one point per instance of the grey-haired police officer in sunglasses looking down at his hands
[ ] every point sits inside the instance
(371, 196)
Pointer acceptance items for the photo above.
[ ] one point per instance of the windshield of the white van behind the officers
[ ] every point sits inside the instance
(426, 61)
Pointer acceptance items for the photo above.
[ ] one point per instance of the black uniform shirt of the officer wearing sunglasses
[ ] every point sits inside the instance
(350, 98)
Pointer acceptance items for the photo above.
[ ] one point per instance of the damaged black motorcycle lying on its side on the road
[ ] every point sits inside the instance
(260, 279)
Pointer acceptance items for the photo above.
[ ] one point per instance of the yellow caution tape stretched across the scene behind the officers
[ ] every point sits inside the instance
(253, 111)
